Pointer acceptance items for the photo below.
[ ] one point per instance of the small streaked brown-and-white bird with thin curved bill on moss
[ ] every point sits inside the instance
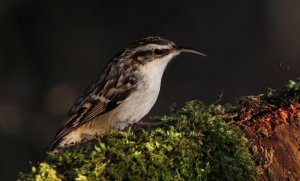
(122, 94)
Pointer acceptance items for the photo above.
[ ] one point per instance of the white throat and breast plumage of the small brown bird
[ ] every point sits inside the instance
(143, 99)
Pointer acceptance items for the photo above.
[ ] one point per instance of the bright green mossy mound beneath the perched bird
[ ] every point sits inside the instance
(194, 143)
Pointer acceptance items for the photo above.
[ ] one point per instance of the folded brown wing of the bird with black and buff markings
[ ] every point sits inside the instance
(97, 101)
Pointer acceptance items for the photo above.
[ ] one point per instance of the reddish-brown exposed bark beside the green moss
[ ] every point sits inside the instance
(275, 135)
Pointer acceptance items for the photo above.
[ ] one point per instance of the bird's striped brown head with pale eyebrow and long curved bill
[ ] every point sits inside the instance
(155, 49)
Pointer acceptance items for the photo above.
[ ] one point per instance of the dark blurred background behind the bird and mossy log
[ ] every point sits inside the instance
(50, 51)
